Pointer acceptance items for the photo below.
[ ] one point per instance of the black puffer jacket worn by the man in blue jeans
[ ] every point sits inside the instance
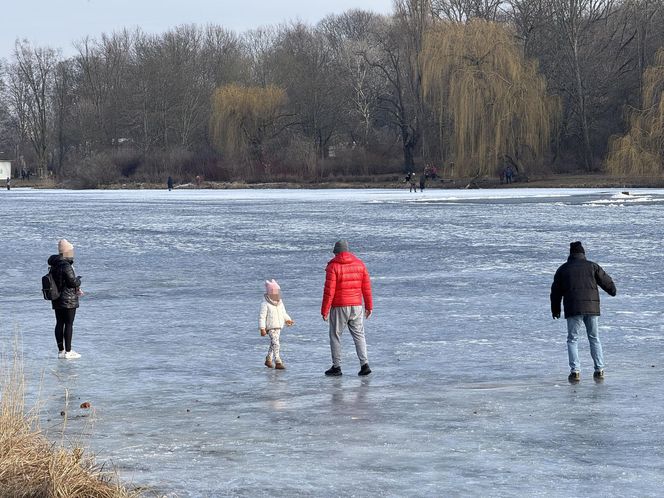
(576, 284)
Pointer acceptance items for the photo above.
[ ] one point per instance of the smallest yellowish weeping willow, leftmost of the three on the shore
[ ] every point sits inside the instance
(245, 118)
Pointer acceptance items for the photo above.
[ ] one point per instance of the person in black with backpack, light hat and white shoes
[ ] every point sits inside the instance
(65, 306)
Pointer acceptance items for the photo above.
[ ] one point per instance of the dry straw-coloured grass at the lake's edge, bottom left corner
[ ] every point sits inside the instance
(30, 465)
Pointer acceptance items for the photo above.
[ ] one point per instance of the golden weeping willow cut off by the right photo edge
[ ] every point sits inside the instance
(641, 151)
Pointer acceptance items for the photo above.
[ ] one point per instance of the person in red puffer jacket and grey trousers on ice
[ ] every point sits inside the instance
(347, 285)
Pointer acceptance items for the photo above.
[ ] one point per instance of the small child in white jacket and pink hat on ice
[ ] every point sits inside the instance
(272, 318)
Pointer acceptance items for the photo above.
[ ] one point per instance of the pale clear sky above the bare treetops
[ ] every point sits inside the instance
(59, 23)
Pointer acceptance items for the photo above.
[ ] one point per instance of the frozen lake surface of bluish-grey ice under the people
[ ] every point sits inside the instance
(468, 397)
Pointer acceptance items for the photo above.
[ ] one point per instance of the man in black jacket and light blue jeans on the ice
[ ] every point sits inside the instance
(576, 283)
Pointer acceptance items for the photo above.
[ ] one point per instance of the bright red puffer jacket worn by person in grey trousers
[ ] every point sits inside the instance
(346, 283)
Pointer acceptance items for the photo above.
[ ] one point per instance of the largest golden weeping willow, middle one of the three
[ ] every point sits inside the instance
(491, 105)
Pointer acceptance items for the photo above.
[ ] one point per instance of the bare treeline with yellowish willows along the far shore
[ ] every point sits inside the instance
(468, 86)
